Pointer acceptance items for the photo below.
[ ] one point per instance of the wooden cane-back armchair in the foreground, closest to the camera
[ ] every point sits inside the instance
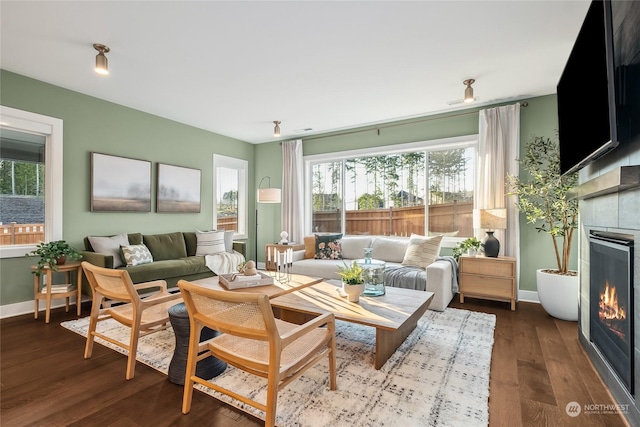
(253, 340)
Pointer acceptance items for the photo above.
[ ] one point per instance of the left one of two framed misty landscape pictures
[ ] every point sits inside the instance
(120, 184)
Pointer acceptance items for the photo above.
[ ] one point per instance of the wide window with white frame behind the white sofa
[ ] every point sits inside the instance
(423, 188)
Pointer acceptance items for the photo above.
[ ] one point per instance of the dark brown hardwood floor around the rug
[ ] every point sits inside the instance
(538, 367)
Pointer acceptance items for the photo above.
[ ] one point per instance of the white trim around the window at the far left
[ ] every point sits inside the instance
(51, 129)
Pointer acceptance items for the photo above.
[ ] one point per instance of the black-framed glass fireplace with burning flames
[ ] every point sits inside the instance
(611, 301)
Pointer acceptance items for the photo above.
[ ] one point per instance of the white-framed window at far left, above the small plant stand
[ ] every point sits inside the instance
(30, 180)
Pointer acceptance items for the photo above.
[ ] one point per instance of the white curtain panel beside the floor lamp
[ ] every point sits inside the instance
(293, 190)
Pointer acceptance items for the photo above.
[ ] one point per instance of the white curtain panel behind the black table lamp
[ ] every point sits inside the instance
(498, 149)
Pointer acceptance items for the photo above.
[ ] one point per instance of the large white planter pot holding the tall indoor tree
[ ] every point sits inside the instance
(559, 294)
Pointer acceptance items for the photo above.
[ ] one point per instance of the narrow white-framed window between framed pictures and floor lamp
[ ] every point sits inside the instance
(230, 190)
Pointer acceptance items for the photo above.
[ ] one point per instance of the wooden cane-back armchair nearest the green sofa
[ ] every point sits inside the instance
(142, 315)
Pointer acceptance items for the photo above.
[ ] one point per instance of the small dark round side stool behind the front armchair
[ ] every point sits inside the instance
(206, 368)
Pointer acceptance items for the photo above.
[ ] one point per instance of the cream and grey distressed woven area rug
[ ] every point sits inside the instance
(438, 377)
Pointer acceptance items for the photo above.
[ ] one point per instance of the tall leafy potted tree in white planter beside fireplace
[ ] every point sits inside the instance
(542, 197)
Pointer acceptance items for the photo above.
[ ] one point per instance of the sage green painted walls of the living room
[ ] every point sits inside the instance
(91, 124)
